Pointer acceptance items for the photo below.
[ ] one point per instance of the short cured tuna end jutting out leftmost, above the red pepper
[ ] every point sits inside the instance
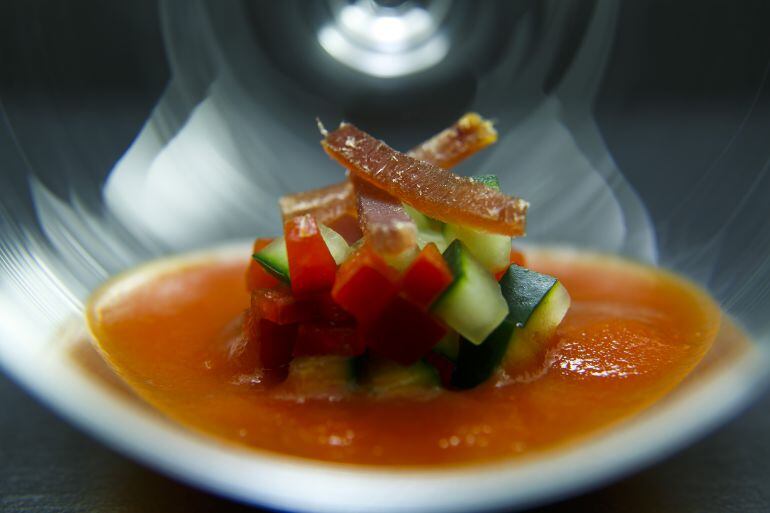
(326, 204)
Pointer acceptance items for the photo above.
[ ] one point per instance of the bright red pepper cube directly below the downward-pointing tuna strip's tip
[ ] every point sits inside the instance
(365, 284)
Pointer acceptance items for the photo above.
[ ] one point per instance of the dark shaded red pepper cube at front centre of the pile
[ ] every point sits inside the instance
(404, 332)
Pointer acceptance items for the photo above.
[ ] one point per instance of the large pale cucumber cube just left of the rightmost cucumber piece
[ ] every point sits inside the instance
(473, 304)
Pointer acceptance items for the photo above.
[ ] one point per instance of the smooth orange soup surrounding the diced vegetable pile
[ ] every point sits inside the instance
(632, 334)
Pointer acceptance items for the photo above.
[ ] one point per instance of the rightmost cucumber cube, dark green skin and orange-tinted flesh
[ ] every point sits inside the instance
(537, 304)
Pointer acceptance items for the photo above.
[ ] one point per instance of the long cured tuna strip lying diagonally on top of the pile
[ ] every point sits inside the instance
(432, 190)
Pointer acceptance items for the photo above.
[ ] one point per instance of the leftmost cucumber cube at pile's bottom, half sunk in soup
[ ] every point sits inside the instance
(320, 377)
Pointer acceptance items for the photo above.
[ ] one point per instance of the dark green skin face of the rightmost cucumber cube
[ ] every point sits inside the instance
(523, 290)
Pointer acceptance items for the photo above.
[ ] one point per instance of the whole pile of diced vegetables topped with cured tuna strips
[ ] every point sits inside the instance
(400, 278)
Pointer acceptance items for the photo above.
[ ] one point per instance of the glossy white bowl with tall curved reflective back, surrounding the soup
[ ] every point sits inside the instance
(621, 144)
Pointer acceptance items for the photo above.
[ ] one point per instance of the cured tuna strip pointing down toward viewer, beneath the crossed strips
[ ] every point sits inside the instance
(385, 223)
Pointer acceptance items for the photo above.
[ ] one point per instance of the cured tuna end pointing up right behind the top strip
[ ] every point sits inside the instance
(449, 147)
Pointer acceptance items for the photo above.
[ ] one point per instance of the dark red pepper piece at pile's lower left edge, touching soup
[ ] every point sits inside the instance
(271, 344)
